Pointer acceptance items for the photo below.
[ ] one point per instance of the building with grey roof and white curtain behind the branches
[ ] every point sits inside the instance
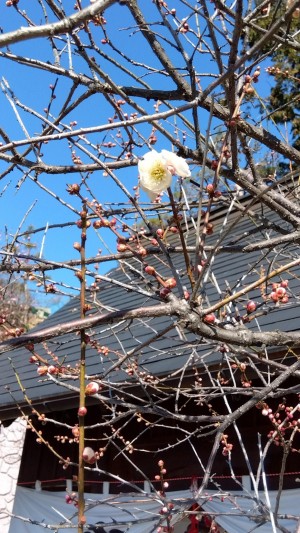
(175, 357)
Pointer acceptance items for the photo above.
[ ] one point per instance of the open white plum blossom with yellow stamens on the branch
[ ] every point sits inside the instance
(156, 171)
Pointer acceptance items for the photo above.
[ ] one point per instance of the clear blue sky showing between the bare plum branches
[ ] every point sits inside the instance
(32, 87)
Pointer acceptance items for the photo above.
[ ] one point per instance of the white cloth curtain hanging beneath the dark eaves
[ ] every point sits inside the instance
(50, 507)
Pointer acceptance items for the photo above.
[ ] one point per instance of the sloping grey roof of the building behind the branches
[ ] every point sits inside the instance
(170, 352)
